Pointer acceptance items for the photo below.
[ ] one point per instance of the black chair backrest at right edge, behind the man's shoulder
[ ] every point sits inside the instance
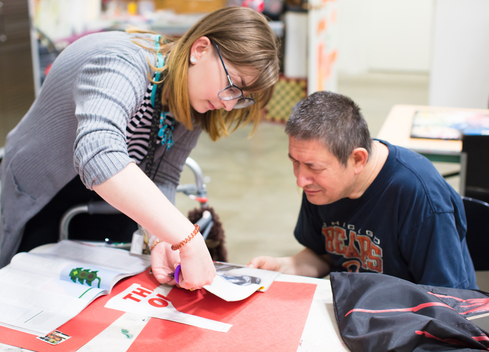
(476, 148)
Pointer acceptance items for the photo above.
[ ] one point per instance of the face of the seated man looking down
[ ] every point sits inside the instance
(319, 173)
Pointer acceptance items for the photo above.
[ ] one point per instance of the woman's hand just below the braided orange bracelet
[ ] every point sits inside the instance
(197, 268)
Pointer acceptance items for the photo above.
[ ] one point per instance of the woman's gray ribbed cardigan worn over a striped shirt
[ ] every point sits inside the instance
(77, 125)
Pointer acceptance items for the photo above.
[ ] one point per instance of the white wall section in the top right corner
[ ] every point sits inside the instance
(460, 67)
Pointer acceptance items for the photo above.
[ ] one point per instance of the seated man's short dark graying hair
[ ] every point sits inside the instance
(333, 119)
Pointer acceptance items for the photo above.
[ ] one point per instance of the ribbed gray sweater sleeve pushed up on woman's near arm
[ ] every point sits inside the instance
(108, 90)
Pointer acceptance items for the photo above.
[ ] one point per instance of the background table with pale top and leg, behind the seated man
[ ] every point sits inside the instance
(397, 127)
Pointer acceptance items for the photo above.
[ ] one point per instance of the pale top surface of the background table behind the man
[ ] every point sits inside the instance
(397, 128)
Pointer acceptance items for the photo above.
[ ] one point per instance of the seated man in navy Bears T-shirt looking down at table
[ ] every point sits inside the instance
(369, 206)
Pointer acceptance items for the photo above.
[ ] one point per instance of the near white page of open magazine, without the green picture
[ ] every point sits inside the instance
(38, 304)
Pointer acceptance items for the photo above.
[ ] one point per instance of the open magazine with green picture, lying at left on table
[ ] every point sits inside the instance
(40, 291)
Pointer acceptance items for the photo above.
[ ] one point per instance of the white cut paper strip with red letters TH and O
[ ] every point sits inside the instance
(153, 303)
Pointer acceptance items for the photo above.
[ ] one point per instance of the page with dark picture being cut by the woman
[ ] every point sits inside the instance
(236, 282)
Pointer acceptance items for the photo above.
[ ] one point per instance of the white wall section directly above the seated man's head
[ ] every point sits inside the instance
(384, 35)
